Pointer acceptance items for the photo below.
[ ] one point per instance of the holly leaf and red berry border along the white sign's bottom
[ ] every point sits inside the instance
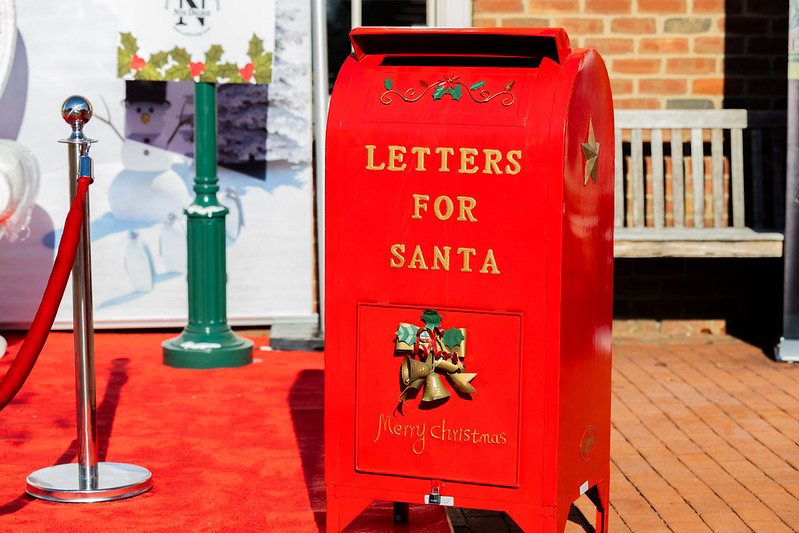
(178, 64)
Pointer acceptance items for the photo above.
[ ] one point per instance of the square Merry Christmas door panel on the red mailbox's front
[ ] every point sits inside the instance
(467, 437)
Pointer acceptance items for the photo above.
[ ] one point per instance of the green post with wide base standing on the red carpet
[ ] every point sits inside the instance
(207, 341)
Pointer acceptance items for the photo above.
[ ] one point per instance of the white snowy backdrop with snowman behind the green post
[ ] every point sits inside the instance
(143, 160)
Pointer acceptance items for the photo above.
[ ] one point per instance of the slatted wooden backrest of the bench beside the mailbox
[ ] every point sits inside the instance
(679, 143)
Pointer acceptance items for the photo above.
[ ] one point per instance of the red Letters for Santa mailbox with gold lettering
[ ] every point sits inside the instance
(469, 237)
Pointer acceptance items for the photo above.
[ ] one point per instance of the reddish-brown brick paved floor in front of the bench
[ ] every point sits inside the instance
(705, 437)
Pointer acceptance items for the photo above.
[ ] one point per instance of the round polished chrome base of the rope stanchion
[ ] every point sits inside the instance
(115, 481)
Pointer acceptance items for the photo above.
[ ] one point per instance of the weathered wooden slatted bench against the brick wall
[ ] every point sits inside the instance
(684, 187)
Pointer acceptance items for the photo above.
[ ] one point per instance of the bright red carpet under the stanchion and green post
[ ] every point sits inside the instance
(236, 449)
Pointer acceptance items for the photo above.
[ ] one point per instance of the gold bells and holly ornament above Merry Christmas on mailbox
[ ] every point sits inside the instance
(430, 352)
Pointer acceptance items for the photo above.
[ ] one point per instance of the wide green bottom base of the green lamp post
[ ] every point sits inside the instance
(207, 350)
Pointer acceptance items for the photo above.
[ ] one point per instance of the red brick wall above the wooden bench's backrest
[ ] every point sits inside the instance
(670, 53)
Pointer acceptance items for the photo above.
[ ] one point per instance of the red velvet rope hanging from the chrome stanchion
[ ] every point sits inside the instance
(43, 321)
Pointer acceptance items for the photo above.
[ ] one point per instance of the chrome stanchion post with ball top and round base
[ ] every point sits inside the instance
(87, 480)
